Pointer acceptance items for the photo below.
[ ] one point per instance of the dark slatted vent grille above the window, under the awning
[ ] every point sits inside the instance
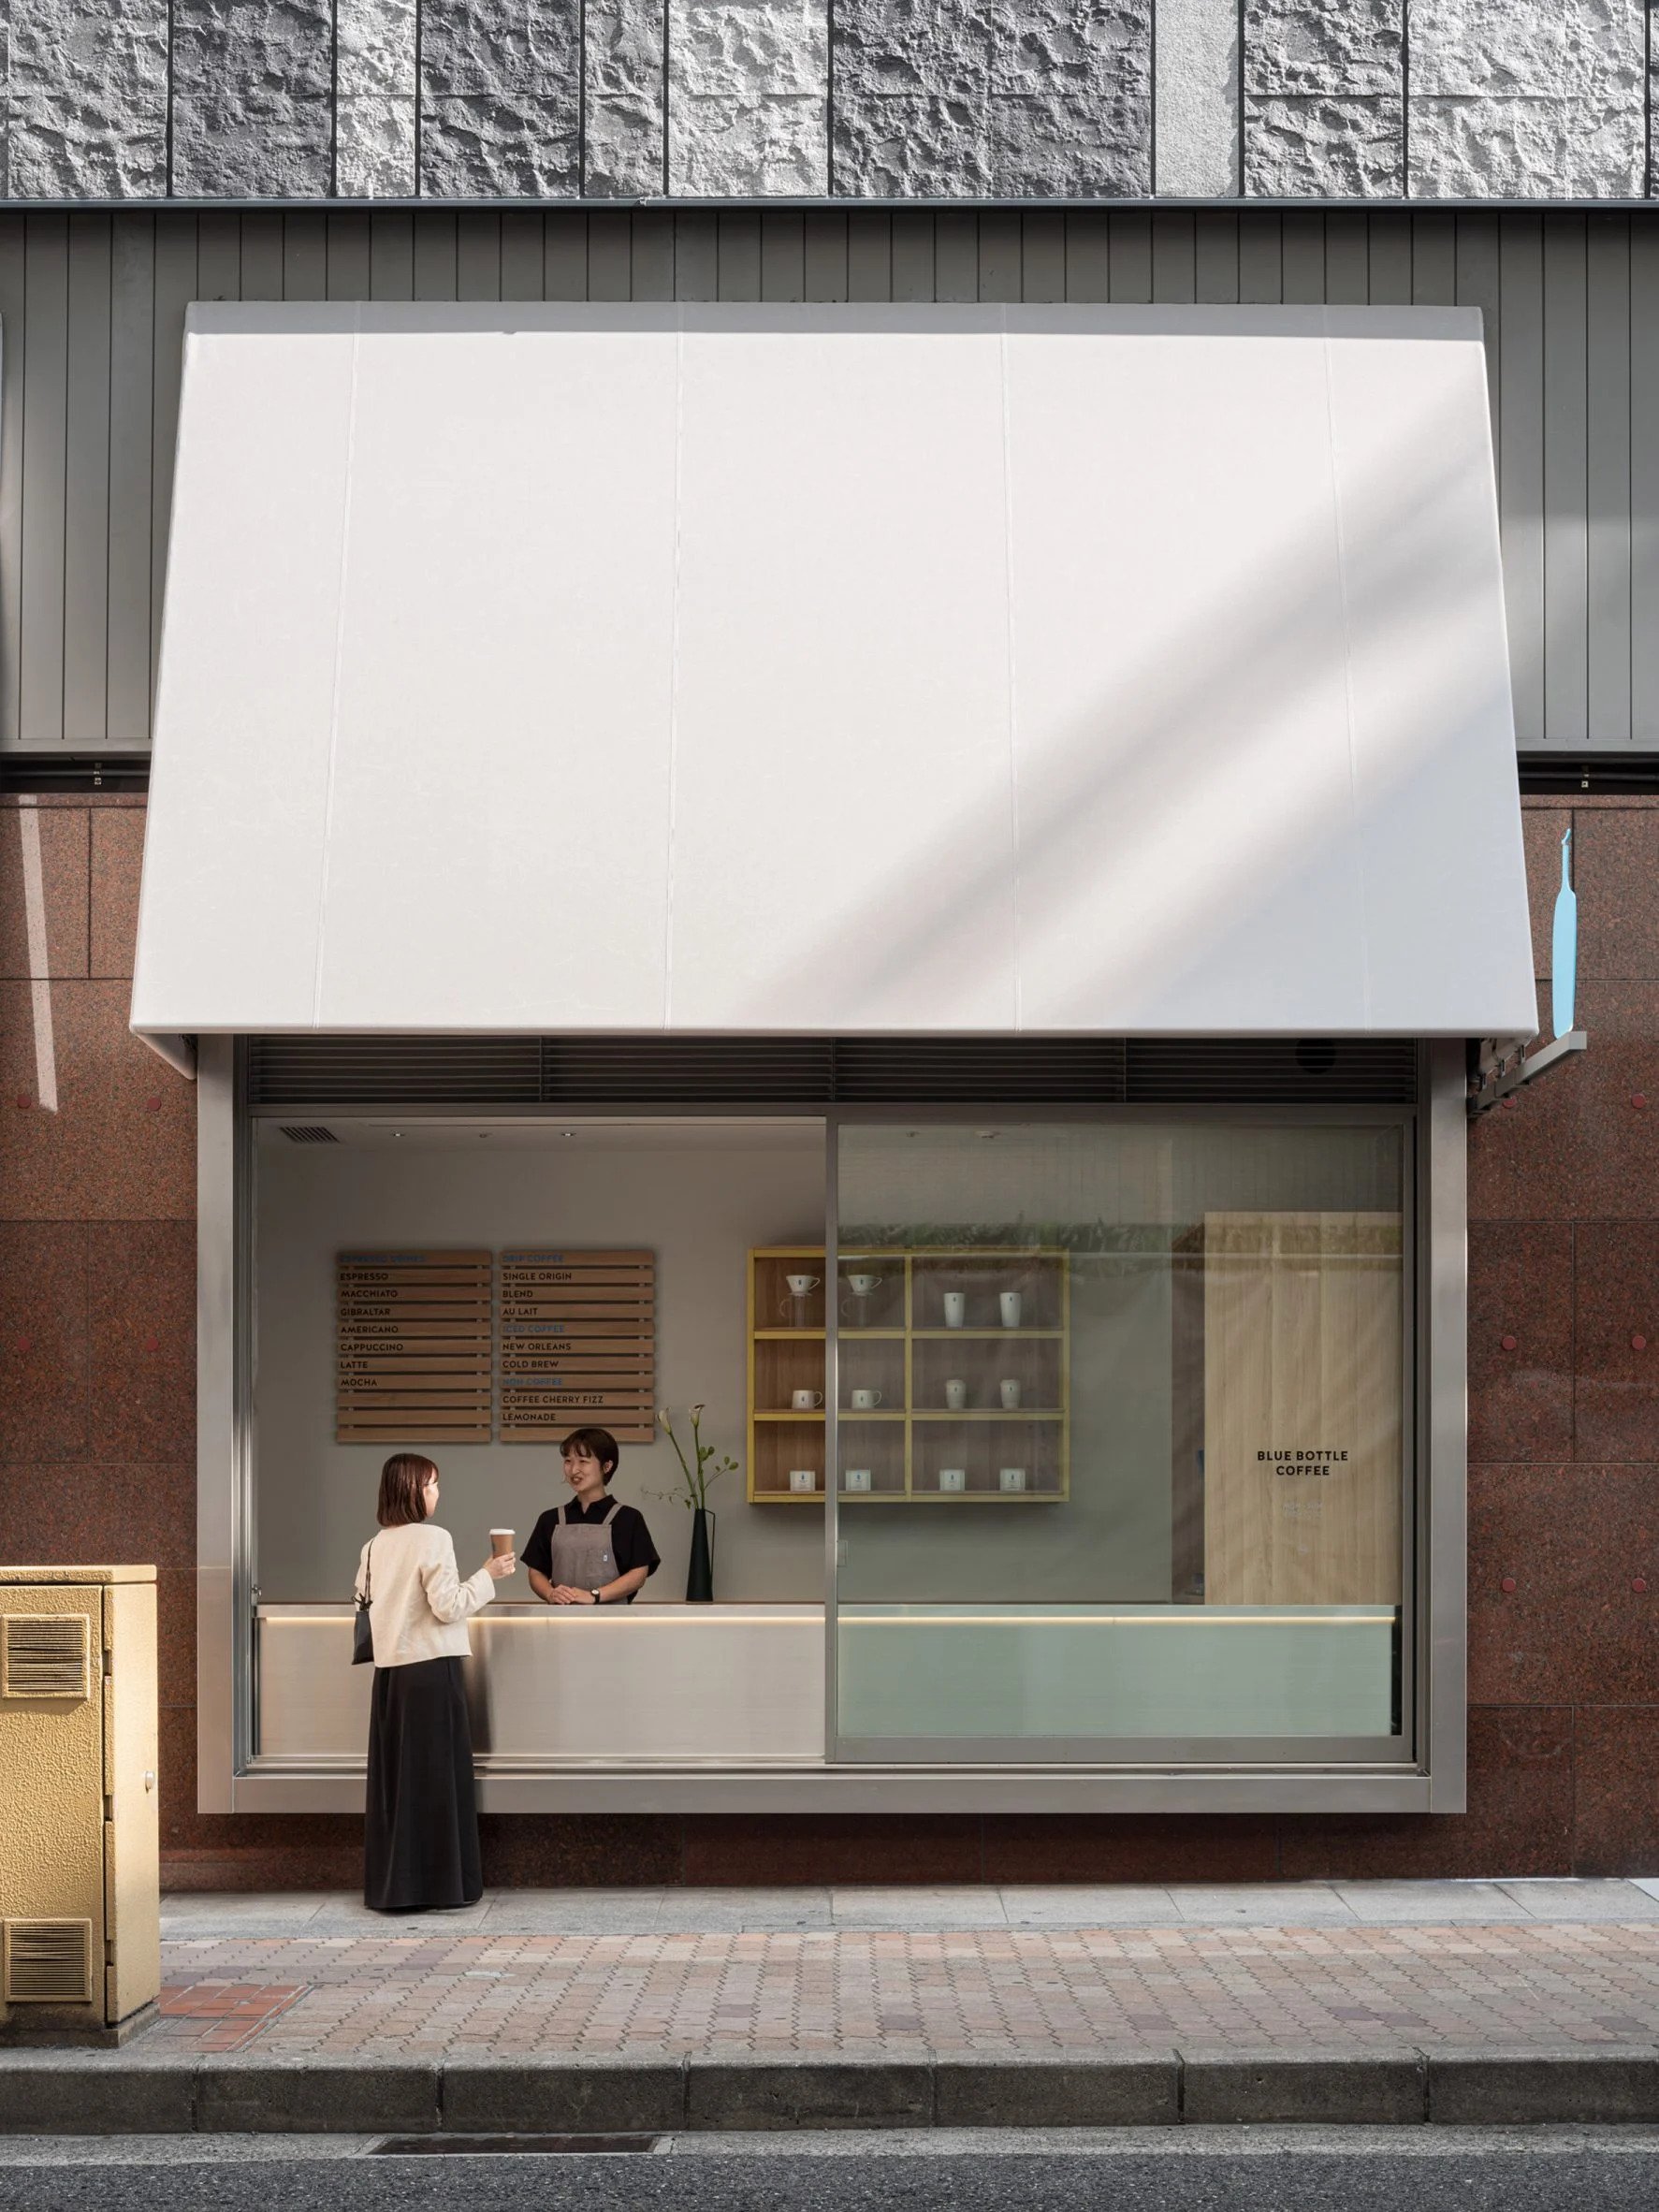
(822, 1072)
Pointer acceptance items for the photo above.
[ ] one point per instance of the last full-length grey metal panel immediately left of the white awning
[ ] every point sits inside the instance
(132, 441)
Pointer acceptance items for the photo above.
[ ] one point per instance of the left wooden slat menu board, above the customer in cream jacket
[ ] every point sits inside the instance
(415, 1348)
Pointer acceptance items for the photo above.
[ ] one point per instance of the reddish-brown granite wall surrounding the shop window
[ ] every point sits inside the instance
(98, 1415)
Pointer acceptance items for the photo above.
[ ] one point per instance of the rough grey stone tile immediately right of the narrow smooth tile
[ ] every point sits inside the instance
(1324, 112)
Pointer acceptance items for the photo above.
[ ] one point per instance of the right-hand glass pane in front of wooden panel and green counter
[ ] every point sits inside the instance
(1120, 1437)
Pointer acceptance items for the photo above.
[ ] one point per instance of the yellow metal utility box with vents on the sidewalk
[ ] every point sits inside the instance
(81, 1875)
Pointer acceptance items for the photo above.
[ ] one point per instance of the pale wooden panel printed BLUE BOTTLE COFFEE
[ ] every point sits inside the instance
(1302, 1410)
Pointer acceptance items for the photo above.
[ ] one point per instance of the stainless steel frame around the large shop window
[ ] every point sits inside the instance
(229, 1777)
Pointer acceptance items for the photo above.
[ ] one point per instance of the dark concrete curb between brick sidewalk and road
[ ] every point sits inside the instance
(79, 2094)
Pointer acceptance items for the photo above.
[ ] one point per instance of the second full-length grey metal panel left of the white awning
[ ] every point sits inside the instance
(87, 486)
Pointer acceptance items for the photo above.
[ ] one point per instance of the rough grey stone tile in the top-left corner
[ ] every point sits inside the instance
(87, 98)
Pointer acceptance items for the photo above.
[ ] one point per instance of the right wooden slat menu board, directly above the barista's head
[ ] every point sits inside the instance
(578, 1346)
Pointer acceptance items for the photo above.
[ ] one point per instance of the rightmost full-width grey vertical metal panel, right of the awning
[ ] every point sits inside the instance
(1609, 479)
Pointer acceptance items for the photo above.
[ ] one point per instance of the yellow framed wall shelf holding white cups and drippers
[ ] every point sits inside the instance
(954, 1375)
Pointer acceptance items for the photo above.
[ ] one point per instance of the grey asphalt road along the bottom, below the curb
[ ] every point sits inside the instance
(1202, 2171)
